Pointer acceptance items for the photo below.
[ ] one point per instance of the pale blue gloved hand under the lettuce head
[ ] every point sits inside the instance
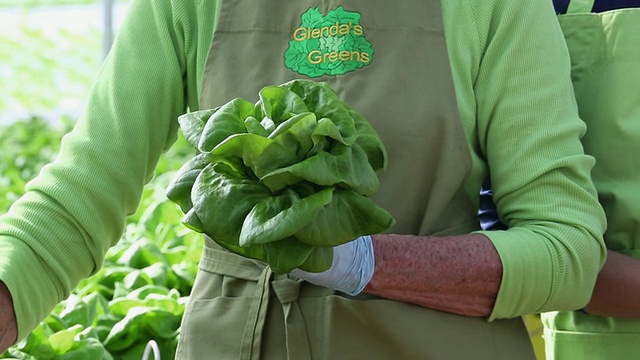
(352, 268)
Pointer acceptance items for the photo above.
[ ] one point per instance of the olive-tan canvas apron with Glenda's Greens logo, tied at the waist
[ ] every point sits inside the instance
(238, 309)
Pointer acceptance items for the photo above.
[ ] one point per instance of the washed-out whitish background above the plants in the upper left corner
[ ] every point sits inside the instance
(48, 63)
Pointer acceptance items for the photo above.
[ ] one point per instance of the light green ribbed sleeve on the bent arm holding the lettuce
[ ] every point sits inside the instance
(522, 124)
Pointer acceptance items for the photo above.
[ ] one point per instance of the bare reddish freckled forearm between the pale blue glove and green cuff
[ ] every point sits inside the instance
(457, 274)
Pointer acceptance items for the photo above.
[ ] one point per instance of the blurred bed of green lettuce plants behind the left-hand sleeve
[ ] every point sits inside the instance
(140, 293)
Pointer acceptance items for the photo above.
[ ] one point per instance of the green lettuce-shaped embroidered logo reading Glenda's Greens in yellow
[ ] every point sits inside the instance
(334, 44)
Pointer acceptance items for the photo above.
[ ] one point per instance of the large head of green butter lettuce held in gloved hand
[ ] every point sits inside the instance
(283, 180)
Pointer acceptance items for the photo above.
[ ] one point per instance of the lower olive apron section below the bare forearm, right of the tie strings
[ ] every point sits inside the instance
(381, 329)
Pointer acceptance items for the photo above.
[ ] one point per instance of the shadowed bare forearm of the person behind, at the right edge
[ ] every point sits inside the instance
(617, 290)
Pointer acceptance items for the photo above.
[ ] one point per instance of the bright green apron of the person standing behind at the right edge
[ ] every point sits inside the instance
(605, 61)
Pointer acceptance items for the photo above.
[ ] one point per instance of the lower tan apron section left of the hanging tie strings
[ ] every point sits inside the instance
(219, 307)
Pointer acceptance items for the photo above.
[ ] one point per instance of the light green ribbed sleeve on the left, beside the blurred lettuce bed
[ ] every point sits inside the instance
(75, 209)
